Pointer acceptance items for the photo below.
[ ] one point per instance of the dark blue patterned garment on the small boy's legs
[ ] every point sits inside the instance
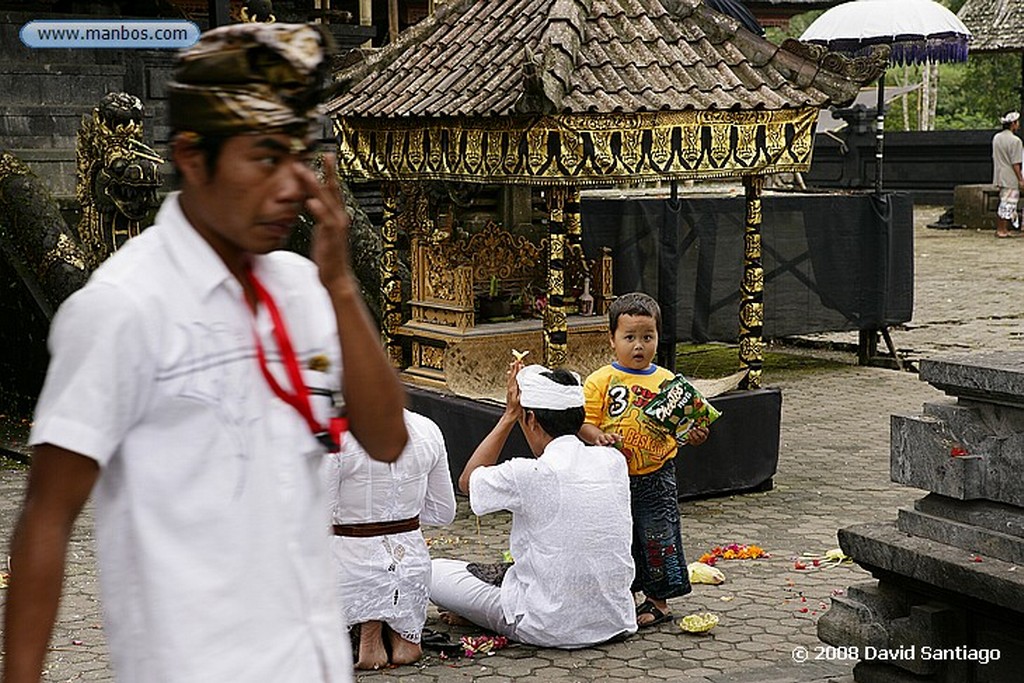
(658, 543)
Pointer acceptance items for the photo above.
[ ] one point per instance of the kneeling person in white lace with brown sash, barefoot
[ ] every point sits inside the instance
(381, 560)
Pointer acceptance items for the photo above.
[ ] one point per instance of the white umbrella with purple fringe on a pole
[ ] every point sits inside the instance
(918, 31)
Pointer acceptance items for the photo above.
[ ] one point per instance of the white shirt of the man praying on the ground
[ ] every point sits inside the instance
(571, 539)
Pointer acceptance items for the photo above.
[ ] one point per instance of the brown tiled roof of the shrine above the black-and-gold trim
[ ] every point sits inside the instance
(502, 58)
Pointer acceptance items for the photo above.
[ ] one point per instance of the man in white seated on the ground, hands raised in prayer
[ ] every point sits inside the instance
(570, 584)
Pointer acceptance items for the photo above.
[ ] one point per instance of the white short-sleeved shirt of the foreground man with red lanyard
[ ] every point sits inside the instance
(211, 518)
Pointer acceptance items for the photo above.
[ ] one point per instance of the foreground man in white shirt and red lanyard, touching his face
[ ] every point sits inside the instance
(187, 389)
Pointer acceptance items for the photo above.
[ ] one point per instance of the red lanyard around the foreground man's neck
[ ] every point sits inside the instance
(300, 399)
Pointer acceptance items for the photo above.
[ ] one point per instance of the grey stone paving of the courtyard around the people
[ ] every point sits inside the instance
(833, 472)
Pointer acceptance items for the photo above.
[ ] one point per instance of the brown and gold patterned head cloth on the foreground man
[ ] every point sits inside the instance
(250, 78)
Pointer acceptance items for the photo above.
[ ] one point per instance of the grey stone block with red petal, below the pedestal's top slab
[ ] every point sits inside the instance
(921, 451)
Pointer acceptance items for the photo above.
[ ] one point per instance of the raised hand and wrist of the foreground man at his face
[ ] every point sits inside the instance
(331, 249)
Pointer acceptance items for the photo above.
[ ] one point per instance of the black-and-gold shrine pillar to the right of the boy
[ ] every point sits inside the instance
(752, 288)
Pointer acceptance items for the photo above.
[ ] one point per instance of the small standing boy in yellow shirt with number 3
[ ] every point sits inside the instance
(616, 396)
